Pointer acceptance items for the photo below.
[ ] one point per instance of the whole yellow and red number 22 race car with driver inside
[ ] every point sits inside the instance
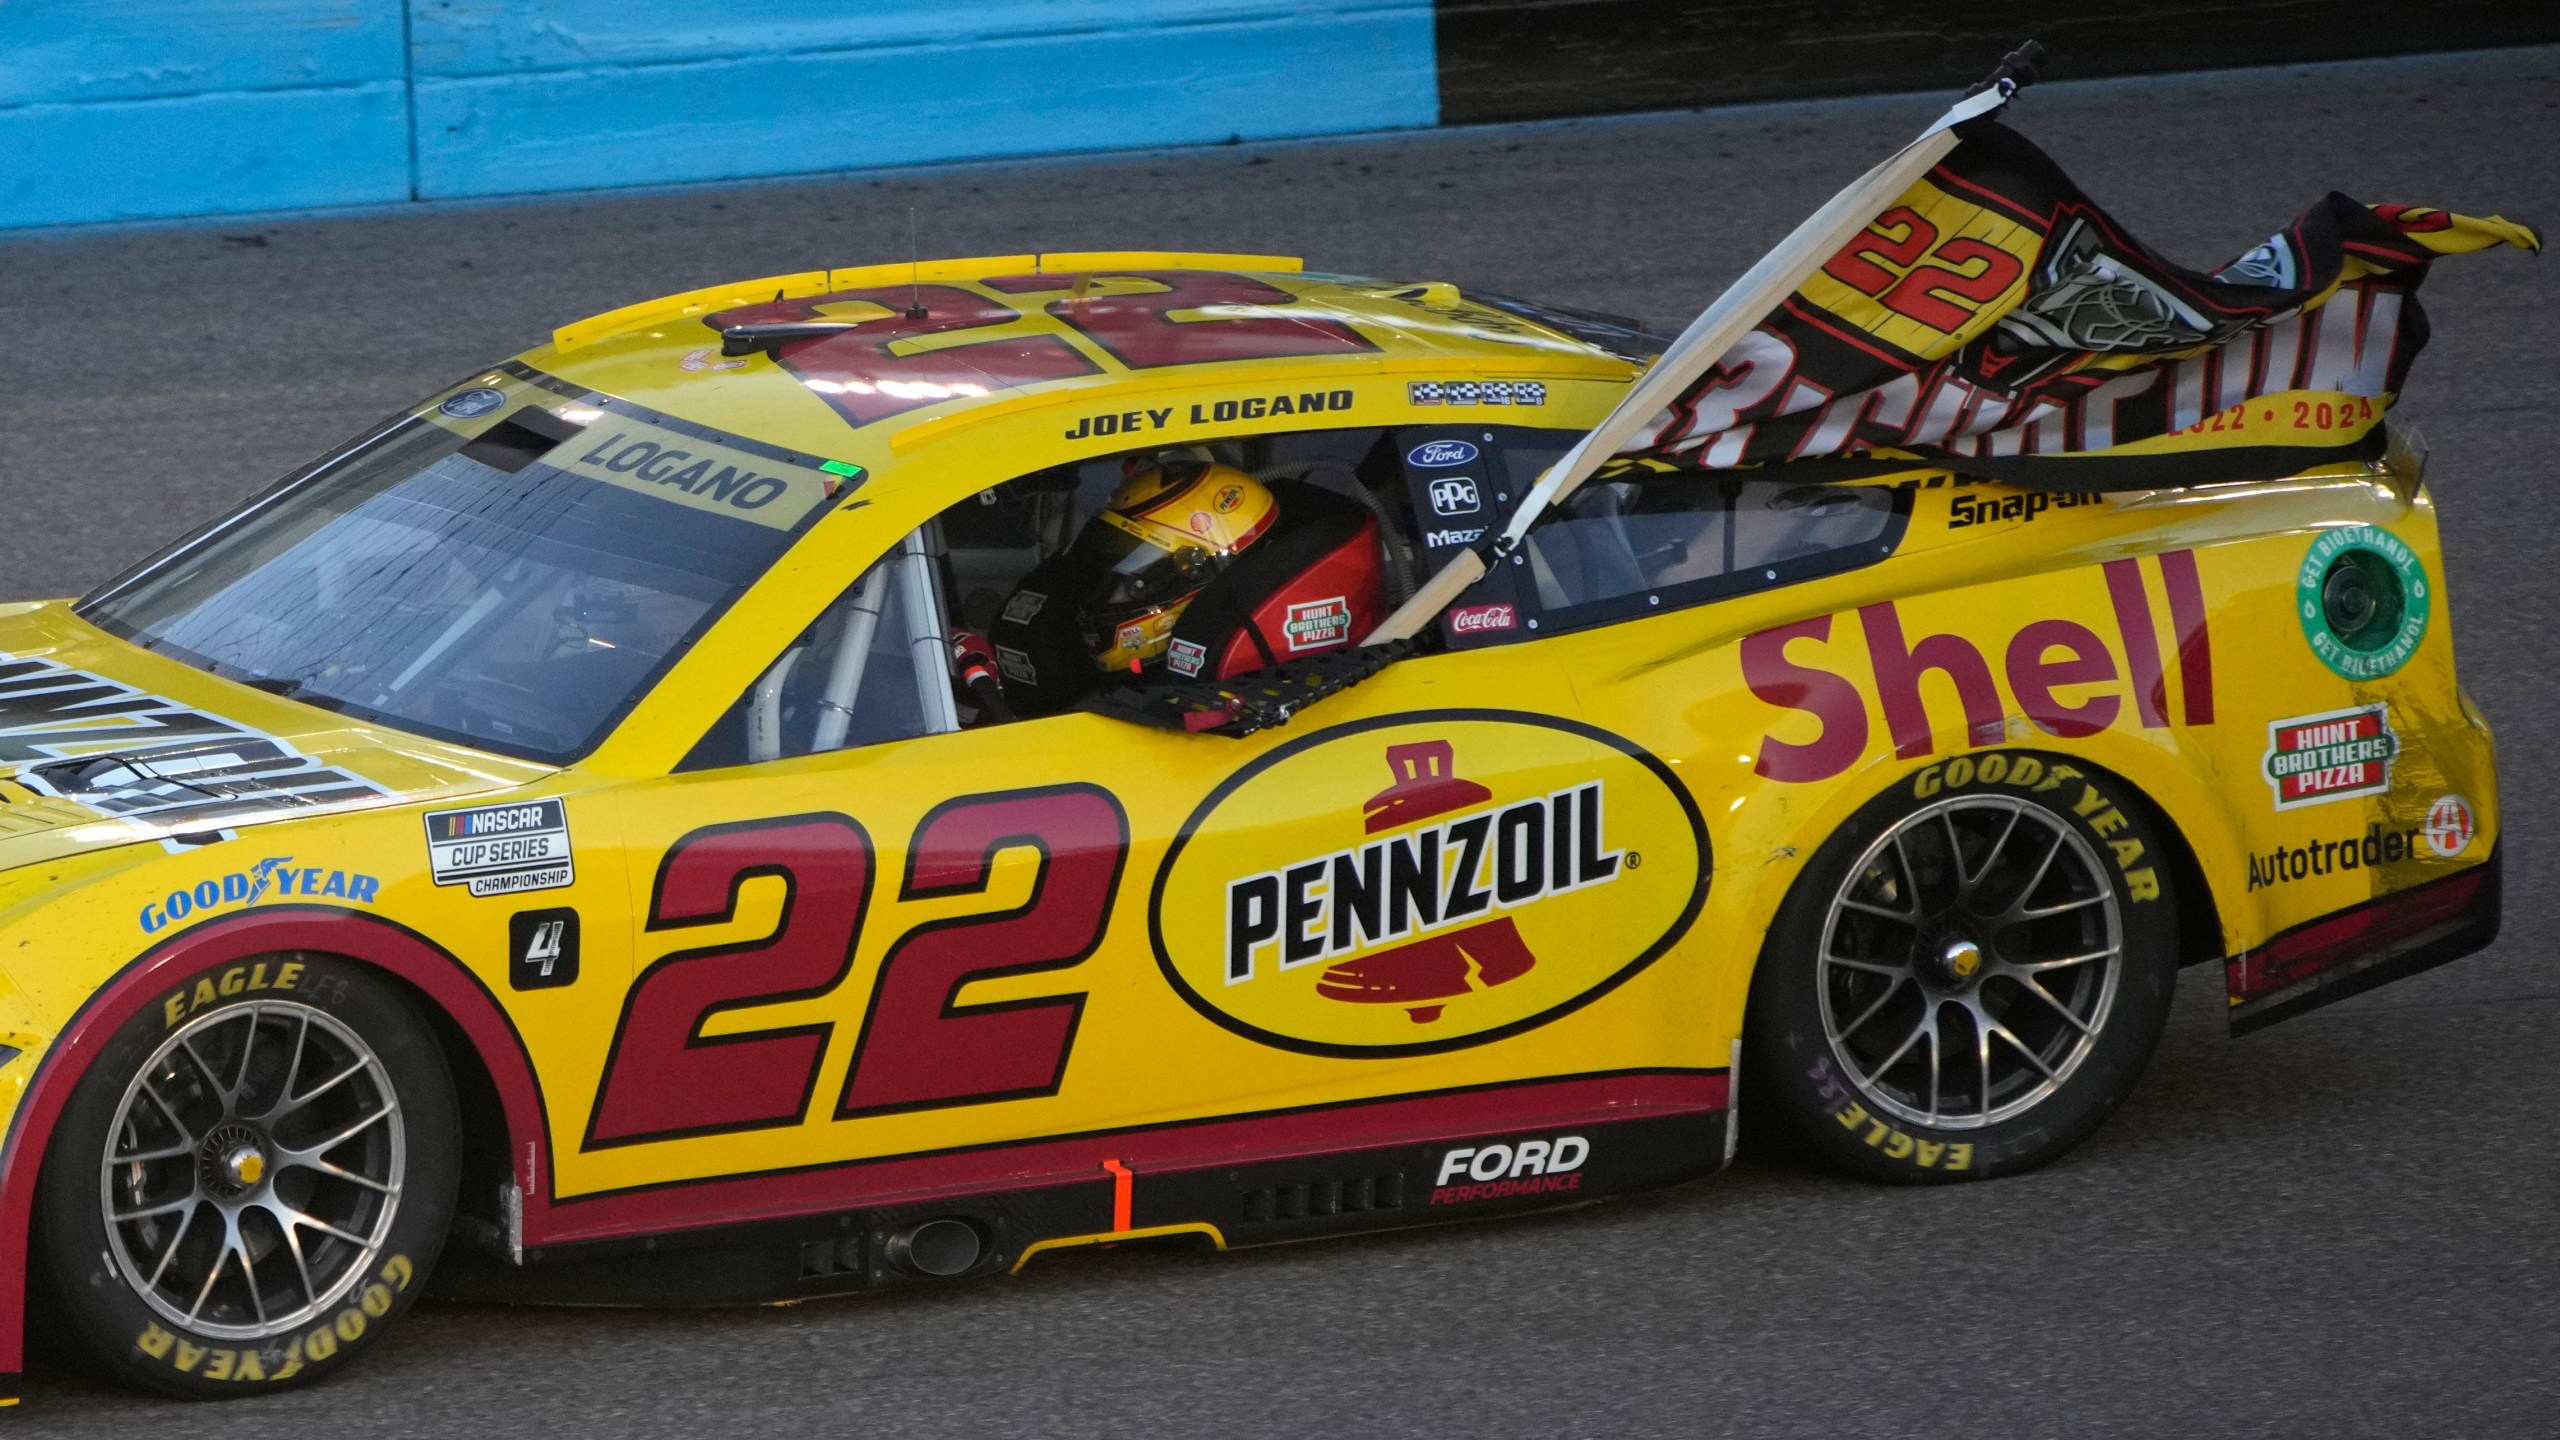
(864, 778)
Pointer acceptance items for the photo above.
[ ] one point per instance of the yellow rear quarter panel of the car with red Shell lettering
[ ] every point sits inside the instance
(2154, 637)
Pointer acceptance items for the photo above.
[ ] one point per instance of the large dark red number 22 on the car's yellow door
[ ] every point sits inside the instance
(918, 1047)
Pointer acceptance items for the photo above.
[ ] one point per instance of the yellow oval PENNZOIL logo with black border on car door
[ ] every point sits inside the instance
(1427, 883)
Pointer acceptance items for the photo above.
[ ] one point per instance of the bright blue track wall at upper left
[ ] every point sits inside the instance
(145, 109)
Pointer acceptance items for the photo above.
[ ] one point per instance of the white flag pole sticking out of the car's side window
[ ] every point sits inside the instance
(1716, 332)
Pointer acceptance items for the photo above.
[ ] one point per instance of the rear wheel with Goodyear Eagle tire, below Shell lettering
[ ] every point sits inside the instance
(1970, 975)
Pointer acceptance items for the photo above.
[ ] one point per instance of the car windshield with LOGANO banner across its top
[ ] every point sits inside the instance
(508, 568)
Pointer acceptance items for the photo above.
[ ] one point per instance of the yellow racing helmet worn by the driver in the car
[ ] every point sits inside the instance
(1171, 529)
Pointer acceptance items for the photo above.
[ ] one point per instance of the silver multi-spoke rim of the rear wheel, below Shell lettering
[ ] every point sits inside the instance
(1970, 962)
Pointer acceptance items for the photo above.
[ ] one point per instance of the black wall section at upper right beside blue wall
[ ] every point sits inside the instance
(1532, 60)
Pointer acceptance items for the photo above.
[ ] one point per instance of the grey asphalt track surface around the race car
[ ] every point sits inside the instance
(2344, 1226)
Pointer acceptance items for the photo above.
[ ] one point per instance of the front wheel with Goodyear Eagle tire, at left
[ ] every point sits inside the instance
(247, 1195)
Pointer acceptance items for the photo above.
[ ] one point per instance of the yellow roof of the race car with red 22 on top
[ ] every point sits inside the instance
(667, 352)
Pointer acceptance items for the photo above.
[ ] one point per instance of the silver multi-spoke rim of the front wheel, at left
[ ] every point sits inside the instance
(255, 1170)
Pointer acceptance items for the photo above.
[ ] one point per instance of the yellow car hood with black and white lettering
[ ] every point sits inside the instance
(106, 744)
